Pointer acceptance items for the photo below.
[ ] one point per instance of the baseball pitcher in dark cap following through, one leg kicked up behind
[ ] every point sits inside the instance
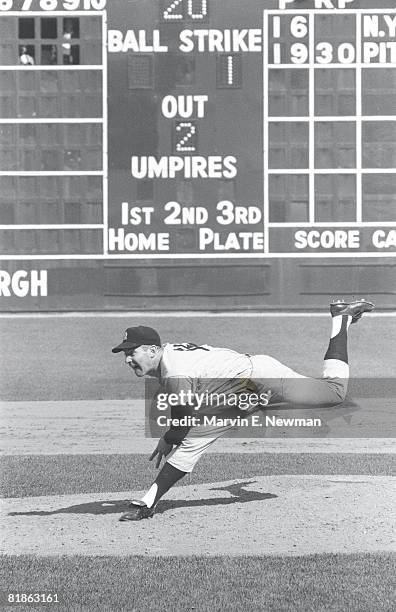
(186, 368)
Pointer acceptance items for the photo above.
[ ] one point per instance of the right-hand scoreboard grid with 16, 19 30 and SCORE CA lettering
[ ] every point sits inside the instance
(327, 131)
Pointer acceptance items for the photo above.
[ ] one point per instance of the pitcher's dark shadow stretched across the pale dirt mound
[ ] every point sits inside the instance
(239, 495)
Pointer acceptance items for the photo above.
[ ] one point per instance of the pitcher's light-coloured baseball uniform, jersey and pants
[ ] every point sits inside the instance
(188, 367)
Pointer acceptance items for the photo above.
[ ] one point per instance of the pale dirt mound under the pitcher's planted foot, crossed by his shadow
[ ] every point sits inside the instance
(289, 515)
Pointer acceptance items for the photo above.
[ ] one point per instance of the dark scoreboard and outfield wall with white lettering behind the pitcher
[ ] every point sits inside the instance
(196, 153)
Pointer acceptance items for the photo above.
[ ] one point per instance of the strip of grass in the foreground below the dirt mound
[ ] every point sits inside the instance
(313, 583)
